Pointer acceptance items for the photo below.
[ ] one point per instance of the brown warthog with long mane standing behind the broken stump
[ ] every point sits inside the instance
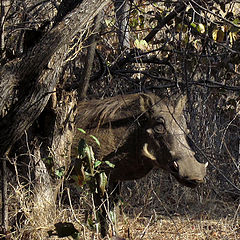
(139, 132)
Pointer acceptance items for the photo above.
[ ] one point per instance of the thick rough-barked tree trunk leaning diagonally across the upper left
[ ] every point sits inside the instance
(38, 73)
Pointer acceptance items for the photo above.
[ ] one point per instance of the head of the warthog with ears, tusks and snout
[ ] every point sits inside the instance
(167, 146)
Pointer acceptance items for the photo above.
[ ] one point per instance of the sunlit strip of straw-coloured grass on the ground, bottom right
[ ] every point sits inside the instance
(178, 227)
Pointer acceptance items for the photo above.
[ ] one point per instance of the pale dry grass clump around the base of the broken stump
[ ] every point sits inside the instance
(31, 221)
